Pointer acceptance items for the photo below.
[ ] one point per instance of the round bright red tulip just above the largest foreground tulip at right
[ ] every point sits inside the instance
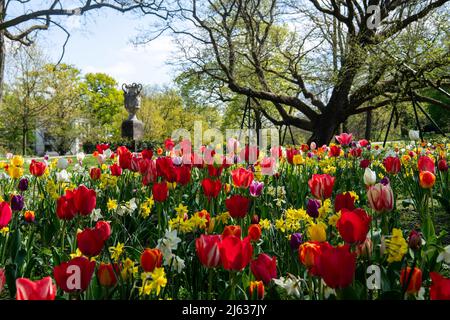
(353, 226)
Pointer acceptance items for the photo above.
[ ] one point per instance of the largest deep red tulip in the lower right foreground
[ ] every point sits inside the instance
(336, 266)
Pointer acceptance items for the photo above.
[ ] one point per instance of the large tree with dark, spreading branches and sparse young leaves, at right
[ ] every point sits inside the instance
(316, 62)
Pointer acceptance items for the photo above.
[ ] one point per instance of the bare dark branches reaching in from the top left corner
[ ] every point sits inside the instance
(20, 20)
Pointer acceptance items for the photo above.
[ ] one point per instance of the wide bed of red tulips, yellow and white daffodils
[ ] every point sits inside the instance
(302, 222)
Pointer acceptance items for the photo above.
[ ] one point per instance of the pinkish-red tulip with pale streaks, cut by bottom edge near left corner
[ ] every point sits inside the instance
(43, 289)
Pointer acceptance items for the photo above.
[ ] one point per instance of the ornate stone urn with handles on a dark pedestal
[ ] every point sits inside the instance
(132, 128)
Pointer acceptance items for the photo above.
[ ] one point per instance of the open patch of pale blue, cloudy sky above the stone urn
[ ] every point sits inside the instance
(101, 42)
